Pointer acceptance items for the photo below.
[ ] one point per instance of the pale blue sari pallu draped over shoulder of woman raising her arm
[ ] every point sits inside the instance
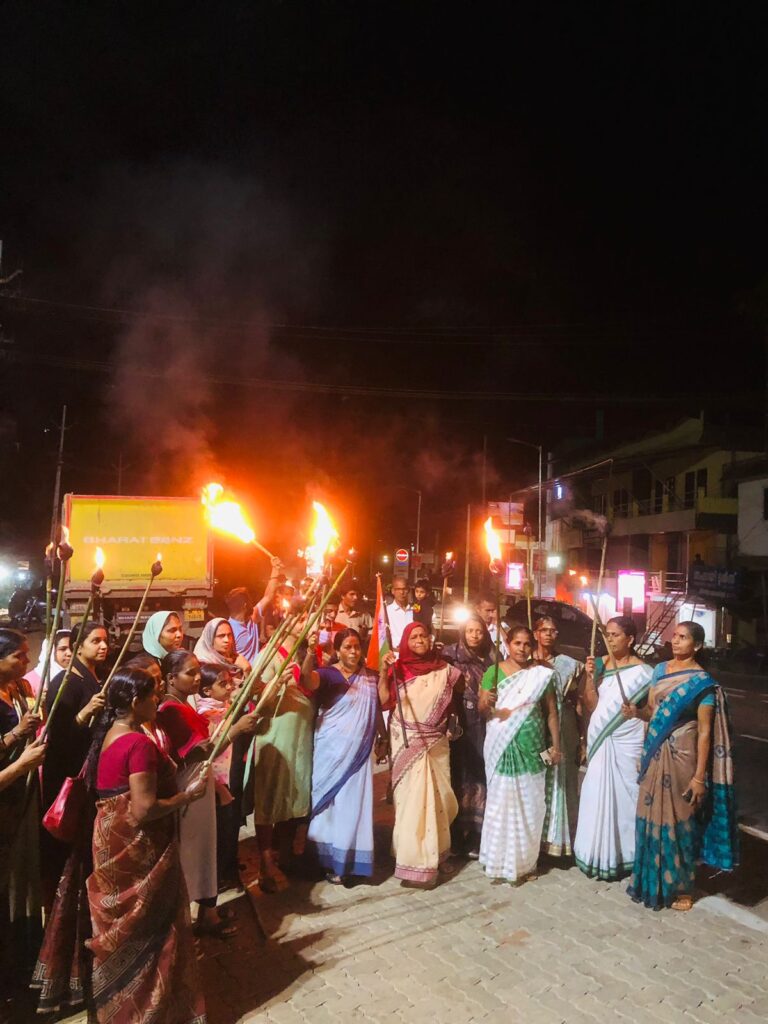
(345, 739)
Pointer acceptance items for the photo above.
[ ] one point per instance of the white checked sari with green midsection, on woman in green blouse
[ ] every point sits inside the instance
(517, 805)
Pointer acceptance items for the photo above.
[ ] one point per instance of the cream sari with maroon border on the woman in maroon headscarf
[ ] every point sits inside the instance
(424, 802)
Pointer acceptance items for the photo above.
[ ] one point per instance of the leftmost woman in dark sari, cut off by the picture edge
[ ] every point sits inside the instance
(21, 923)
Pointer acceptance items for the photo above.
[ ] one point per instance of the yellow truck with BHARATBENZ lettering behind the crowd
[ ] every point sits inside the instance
(133, 533)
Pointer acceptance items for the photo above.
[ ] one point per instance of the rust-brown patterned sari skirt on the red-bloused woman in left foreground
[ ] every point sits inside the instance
(145, 968)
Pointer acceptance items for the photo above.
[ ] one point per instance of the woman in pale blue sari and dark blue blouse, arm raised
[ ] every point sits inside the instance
(342, 830)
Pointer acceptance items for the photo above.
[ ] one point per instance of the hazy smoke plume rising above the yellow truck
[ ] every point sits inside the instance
(206, 261)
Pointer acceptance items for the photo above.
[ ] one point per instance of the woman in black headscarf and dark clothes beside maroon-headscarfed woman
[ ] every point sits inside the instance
(472, 656)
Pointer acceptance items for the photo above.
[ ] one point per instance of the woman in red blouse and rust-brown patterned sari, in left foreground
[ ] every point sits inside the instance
(145, 967)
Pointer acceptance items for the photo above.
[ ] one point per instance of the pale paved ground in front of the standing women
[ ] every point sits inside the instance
(563, 949)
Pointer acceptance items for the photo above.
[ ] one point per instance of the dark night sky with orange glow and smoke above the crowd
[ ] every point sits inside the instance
(559, 203)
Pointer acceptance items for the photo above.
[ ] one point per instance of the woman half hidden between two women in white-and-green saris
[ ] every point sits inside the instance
(563, 780)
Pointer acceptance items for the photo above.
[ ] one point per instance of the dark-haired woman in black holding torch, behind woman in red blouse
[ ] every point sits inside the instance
(70, 736)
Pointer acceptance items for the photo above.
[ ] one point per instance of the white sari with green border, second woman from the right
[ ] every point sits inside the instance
(605, 846)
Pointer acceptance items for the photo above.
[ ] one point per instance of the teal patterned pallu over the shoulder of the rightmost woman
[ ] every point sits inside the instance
(719, 847)
